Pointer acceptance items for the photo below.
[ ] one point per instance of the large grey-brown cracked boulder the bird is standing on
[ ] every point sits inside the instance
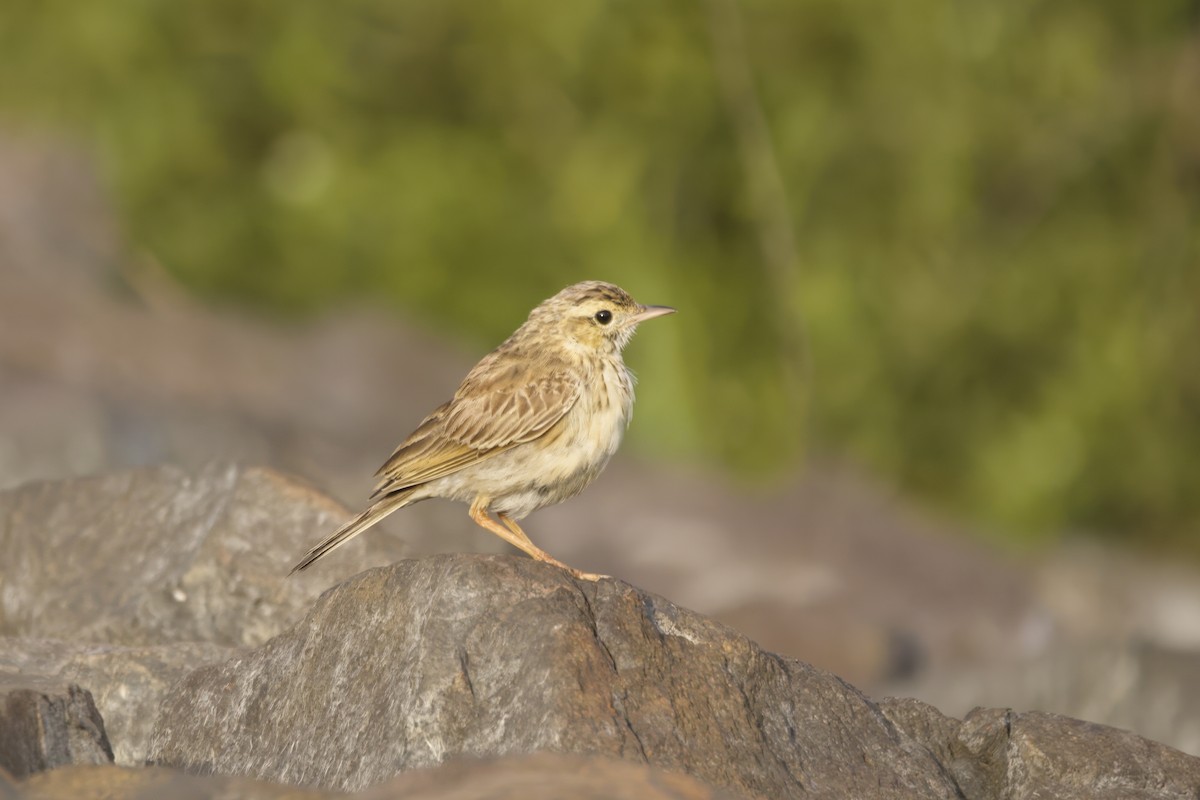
(416, 664)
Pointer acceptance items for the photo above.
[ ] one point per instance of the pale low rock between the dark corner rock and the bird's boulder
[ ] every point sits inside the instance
(127, 684)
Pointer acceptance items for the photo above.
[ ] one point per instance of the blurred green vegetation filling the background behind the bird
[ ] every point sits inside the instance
(957, 242)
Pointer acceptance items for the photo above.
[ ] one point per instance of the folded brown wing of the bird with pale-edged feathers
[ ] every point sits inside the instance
(485, 418)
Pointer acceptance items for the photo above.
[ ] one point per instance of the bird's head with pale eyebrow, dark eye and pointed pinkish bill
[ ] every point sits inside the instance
(596, 315)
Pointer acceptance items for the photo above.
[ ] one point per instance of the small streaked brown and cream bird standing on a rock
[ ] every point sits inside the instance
(532, 425)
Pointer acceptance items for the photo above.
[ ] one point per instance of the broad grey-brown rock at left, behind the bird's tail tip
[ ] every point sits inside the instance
(157, 556)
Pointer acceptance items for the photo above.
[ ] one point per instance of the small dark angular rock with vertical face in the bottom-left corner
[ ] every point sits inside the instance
(46, 725)
